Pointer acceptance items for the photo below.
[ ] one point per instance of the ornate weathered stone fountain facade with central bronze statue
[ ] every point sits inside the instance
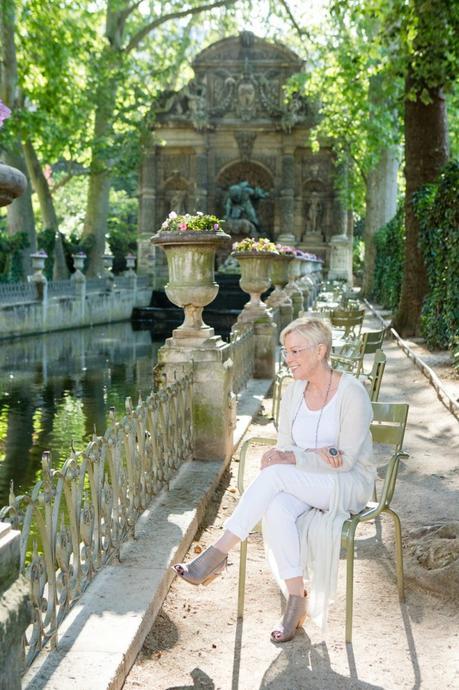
(228, 126)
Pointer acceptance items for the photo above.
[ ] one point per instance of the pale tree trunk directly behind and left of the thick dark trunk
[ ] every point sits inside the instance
(381, 206)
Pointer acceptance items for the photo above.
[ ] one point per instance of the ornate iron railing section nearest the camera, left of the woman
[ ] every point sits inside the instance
(76, 517)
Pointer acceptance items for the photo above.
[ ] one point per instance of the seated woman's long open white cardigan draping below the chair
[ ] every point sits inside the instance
(319, 531)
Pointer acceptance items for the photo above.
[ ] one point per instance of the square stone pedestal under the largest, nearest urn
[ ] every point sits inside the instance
(214, 409)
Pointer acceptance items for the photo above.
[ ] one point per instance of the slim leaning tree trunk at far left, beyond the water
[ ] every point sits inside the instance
(48, 212)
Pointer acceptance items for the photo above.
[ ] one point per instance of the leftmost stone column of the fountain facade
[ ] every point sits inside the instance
(148, 220)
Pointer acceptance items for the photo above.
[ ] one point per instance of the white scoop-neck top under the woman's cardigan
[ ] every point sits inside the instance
(316, 428)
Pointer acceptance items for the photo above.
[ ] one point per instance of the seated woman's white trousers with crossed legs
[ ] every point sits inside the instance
(280, 494)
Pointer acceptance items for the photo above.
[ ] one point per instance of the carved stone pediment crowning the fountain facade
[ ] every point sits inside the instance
(239, 78)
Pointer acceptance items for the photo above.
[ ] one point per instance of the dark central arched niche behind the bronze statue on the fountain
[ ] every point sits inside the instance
(257, 175)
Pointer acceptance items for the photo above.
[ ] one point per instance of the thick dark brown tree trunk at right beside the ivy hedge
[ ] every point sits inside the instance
(426, 152)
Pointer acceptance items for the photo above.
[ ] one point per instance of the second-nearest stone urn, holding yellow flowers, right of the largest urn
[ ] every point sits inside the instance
(255, 279)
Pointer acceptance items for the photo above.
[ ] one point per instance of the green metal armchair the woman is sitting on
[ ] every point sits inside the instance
(388, 427)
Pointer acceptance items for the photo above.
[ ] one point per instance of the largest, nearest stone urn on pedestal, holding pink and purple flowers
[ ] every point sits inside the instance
(191, 285)
